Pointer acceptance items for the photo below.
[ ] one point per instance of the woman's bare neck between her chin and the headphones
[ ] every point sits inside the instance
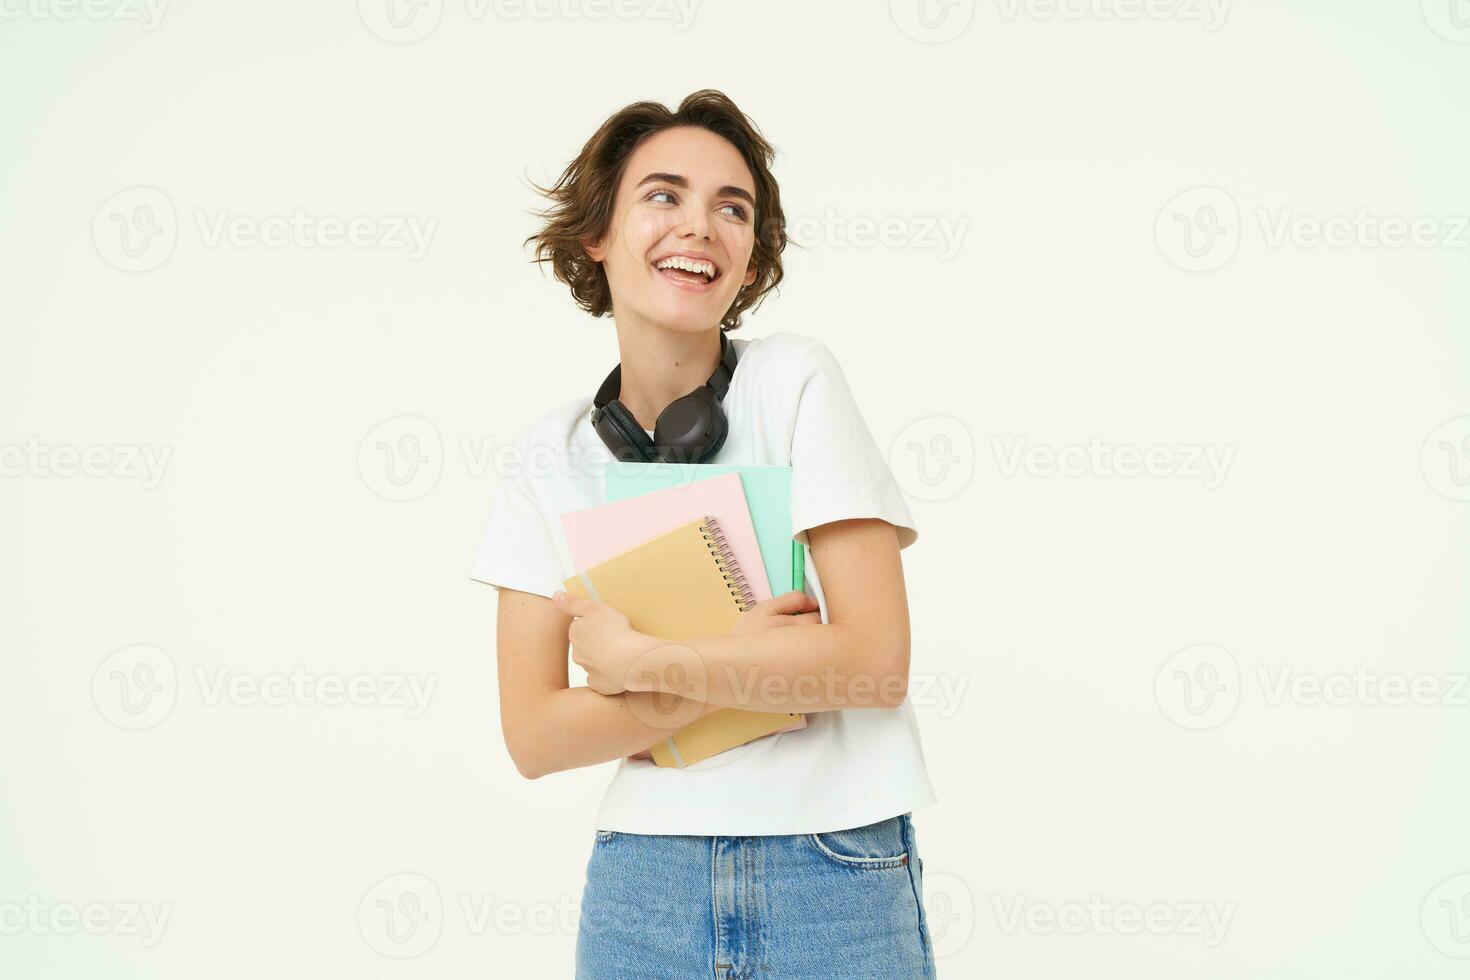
(662, 365)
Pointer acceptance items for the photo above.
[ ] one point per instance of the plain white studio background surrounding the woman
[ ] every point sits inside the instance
(330, 418)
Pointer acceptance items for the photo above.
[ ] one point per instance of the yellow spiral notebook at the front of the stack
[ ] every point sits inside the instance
(683, 586)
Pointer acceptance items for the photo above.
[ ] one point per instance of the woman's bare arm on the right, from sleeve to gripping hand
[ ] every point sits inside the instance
(859, 659)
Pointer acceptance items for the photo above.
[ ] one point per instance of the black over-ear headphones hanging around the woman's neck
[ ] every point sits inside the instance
(690, 431)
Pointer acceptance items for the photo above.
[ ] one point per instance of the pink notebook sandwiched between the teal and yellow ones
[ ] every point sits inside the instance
(602, 533)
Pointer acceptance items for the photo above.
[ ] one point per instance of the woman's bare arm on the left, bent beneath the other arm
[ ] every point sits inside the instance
(551, 727)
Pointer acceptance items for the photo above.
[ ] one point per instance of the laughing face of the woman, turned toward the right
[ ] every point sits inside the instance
(684, 211)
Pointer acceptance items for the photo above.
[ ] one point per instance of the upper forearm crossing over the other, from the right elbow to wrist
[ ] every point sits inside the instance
(809, 668)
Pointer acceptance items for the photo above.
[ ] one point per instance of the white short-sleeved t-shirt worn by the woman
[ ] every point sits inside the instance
(789, 405)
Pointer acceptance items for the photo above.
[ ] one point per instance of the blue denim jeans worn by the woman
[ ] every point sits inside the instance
(809, 906)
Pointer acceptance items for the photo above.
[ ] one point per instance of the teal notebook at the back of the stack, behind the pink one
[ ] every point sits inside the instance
(768, 493)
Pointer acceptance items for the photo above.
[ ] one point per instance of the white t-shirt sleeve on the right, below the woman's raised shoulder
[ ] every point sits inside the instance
(837, 469)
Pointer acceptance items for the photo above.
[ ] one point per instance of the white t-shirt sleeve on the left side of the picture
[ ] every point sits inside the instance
(517, 550)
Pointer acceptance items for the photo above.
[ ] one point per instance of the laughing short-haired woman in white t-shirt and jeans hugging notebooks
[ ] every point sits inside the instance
(793, 856)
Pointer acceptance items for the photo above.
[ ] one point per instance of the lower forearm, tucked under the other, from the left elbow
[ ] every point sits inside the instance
(574, 728)
